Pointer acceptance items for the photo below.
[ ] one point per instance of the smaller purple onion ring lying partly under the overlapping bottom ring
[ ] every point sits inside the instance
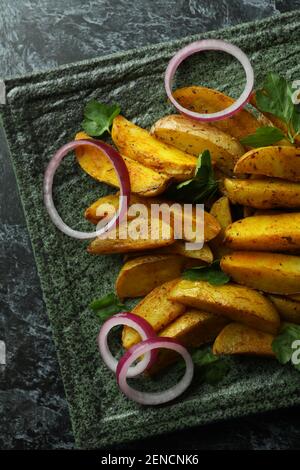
(144, 329)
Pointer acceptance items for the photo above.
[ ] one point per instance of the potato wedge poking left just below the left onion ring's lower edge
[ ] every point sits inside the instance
(123, 242)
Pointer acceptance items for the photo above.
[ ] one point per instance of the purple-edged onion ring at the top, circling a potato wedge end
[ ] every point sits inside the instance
(209, 45)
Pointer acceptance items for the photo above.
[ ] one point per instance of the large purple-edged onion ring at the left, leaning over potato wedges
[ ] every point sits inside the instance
(123, 176)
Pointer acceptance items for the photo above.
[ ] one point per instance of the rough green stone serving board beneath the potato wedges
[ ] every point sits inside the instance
(43, 112)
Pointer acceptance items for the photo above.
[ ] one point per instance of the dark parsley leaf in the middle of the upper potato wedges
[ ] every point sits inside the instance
(202, 187)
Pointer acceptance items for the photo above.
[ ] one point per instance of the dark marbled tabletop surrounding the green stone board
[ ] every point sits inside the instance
(40, 34)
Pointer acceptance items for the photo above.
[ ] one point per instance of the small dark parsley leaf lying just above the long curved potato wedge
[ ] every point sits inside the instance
(212, 274)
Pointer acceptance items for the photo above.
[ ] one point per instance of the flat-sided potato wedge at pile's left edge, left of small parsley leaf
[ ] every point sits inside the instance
(141, 275)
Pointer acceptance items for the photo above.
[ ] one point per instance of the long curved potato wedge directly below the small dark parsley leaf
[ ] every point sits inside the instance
(230, 300)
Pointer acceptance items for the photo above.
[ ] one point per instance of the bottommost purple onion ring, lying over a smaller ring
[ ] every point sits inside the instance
(155, 398)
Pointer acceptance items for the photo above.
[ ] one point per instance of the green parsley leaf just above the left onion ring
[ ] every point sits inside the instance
(98, 117)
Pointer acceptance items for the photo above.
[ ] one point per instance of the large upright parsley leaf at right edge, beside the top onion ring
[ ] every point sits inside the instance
(275, 97)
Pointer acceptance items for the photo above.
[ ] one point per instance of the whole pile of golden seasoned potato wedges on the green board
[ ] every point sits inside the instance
(260, 251)
